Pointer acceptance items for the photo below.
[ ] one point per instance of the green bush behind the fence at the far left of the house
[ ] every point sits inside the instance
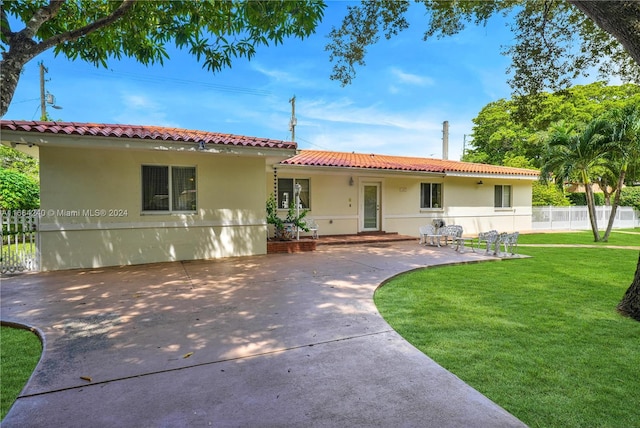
(18, 191)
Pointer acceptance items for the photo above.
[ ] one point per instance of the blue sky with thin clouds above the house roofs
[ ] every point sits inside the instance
(396, 104)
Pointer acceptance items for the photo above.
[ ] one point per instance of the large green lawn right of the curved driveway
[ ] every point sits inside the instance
(538, 336)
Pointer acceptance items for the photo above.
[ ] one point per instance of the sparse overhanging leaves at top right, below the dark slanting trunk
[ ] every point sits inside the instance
(554, 41)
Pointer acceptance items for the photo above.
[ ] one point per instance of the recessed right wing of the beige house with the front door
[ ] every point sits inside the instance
(349, 193)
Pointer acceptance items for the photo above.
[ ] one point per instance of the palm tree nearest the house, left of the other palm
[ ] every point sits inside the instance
(575, 155)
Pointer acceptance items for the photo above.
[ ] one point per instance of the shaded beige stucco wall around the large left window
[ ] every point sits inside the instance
(93, 210)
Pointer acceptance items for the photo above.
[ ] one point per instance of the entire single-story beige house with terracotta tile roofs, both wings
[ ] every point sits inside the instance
(123, 194)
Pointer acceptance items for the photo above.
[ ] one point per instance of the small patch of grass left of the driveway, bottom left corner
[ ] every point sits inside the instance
(19, 353)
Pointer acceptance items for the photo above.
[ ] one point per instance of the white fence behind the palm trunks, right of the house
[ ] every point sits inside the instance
(577, 218)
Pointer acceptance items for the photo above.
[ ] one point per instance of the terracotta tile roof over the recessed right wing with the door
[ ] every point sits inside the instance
(398, 163)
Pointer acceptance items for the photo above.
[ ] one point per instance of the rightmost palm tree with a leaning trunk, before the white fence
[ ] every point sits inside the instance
(623, 149)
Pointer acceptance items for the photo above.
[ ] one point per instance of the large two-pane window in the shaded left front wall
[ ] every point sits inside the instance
(168, 188)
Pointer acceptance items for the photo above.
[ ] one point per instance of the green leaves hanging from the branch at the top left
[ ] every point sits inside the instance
(216, 32)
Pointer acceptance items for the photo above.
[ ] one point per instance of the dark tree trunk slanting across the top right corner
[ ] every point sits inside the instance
(621, 19)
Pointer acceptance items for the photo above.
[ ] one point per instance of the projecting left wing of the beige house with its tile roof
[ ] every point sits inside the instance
(120, 194)
